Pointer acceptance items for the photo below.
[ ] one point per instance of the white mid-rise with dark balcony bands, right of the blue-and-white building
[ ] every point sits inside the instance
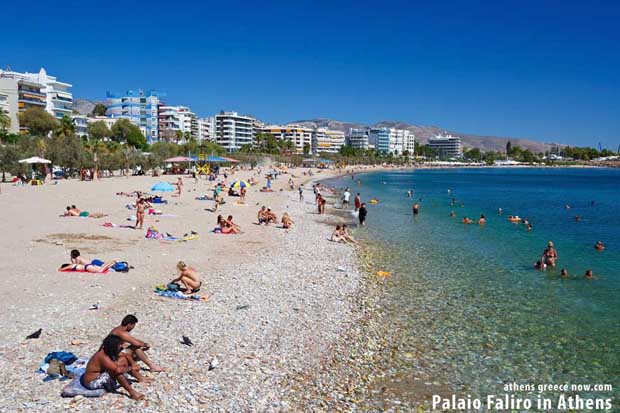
(232, 130)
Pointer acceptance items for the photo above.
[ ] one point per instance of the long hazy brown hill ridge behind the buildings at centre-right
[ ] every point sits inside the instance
(422, 133)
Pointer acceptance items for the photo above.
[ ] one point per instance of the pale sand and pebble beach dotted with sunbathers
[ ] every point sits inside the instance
(276, 301)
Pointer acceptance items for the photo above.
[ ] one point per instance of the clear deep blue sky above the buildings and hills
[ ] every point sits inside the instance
(547, 70)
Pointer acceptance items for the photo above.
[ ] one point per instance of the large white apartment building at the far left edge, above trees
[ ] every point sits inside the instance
(24, 90)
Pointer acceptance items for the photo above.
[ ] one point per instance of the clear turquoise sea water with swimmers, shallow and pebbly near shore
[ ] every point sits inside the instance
(475, 313)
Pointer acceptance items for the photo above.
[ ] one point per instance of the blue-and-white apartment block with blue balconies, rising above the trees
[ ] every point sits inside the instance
(141, 108)
